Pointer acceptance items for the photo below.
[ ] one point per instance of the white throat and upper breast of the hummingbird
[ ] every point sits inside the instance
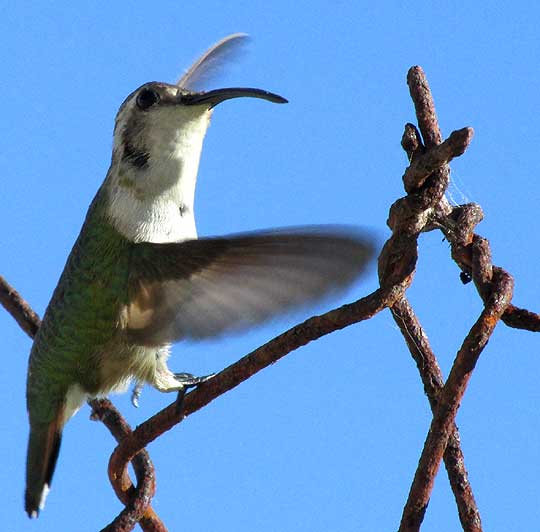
(155, 203)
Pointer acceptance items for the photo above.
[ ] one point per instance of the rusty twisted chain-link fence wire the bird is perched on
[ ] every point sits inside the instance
(424, 208)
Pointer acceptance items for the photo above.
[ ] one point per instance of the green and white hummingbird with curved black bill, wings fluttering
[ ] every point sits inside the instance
(139, 279)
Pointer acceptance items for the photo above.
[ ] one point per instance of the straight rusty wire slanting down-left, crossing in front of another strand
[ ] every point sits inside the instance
(450, 399)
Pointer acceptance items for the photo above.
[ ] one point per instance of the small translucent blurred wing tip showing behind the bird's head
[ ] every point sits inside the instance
(212, 62)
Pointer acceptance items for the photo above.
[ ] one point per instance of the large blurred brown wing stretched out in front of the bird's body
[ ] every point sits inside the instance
(202, 288)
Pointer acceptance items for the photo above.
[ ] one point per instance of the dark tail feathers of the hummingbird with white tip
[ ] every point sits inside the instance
(43, 449)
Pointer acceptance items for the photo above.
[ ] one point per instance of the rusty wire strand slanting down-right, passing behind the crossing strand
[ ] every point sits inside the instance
(432, 378)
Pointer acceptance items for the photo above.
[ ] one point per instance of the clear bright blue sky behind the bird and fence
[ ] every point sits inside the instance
(328, 438)
